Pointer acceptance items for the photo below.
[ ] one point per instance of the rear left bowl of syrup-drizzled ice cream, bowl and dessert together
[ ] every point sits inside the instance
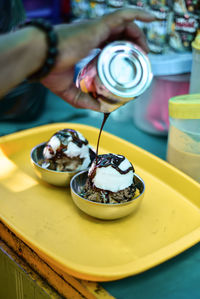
(57, 160)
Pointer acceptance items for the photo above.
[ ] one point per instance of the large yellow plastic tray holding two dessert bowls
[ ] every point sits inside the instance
(45, 218)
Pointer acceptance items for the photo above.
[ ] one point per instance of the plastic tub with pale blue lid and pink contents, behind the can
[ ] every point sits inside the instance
(171, 78)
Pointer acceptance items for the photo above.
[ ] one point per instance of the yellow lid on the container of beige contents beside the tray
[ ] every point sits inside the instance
(185, 106)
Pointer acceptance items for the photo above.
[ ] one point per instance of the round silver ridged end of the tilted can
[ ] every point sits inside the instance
(124, 69)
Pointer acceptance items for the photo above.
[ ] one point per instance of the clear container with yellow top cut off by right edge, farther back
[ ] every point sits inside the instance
(195, 73)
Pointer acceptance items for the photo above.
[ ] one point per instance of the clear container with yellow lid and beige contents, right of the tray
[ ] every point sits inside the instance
(183, 150)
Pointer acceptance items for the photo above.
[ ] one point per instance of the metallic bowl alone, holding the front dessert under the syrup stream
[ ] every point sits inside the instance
(104, 211)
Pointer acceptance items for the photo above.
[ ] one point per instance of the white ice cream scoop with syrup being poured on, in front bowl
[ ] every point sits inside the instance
(112, 172)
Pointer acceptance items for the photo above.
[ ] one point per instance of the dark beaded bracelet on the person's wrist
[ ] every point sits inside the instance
(52, 52)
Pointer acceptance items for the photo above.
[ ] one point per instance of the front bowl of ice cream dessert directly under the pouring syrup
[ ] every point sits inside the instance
(110, 189)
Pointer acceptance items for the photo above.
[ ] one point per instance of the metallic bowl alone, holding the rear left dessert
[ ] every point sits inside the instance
(54, 177)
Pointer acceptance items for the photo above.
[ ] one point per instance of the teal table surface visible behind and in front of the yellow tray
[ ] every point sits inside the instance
(178, 278)
